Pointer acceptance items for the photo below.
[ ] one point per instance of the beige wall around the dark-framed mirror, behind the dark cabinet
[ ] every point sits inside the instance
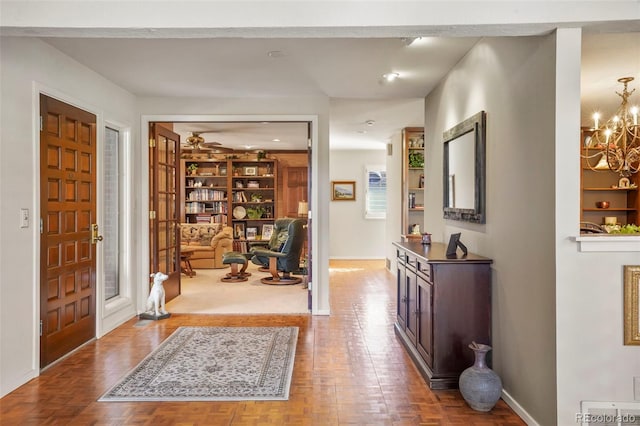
(512, 79)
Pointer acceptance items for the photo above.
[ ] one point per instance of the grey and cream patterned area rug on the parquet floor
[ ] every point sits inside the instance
(214, 364)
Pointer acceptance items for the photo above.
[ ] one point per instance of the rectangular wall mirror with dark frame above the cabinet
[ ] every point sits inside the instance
(464, 171)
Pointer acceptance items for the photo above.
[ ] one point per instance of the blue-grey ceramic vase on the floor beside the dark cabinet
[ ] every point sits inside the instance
(480, 386)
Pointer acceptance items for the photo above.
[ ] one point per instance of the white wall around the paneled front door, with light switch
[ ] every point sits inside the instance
(29, 65)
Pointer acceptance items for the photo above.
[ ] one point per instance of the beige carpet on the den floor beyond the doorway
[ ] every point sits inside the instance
(206, 294)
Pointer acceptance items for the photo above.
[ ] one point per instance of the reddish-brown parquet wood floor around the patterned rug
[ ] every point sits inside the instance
(350, 369)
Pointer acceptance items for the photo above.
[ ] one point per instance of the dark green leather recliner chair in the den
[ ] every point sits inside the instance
(283, 253)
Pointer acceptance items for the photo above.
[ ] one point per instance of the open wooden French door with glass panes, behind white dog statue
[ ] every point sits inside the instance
(164, 205)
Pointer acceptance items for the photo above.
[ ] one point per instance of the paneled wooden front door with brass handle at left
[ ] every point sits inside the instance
(68, 215)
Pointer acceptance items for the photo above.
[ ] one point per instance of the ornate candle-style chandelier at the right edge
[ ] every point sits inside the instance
(615, 145)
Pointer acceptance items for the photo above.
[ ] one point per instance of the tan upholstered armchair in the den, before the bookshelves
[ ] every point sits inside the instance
(206, 243)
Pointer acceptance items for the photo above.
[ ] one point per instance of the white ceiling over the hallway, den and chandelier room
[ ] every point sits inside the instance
(347, 70)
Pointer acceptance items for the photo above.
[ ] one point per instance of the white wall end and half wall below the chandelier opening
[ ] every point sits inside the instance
(593, 364)
